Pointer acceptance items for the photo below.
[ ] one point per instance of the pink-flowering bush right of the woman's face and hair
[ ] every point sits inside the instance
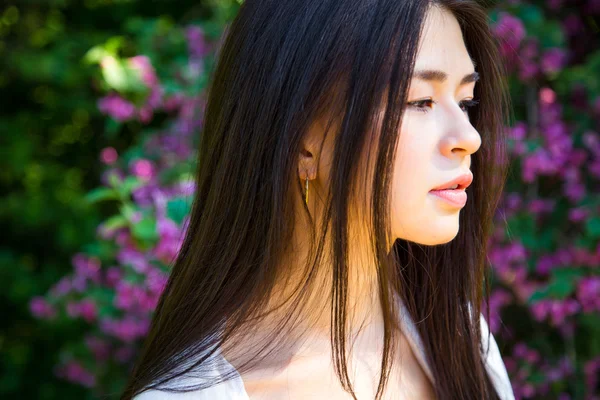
(545, 298)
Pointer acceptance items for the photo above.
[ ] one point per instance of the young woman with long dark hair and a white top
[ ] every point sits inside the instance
(322, 261)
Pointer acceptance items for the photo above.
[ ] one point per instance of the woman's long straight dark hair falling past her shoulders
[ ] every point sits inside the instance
(282, 65)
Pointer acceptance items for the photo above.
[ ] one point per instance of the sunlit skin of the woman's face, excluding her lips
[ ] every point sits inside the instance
(436, 139)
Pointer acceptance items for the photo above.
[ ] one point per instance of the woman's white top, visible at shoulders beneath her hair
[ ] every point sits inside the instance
(234, 389)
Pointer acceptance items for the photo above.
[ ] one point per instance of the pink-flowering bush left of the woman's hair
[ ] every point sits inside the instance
(117, 280)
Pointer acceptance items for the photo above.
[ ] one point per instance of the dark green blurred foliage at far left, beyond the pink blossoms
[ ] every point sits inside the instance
(52, 133)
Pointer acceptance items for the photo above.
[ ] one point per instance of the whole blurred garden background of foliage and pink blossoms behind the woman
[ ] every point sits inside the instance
(99, 115)
